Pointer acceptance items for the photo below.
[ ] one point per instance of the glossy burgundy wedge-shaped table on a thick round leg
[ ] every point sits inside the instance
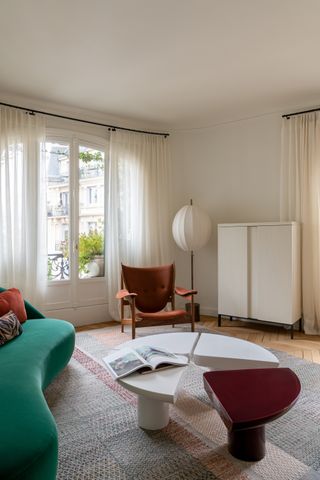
(248, 399)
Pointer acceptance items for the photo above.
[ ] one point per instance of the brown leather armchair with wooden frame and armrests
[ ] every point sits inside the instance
(147, 291)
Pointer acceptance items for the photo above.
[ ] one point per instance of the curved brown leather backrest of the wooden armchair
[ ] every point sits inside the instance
(154, 286)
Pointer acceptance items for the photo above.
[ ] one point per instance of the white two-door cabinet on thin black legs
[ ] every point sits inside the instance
(259, 271)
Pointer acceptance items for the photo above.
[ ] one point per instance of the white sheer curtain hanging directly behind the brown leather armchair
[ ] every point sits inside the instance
(138, 222)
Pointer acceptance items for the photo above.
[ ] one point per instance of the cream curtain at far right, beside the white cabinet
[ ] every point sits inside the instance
(300, 201)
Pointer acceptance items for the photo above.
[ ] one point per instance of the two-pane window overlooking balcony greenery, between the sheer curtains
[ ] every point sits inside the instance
(75, 222)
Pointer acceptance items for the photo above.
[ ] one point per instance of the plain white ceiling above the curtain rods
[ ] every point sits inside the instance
(177, 63)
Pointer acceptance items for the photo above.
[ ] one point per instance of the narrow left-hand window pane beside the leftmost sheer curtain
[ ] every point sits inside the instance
(58, 206)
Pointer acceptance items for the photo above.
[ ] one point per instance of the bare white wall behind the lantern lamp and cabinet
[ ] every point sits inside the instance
(233, 172)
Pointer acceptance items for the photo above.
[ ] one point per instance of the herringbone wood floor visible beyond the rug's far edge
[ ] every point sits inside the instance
(302, 346)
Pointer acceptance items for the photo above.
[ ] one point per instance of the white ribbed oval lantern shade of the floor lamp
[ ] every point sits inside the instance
(191, 228)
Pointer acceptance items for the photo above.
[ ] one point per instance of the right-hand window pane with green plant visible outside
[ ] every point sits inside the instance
(91, 212)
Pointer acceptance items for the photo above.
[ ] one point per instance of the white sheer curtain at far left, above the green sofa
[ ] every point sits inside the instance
(22, 202)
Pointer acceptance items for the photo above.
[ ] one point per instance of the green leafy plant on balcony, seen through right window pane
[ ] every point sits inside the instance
(91, 253)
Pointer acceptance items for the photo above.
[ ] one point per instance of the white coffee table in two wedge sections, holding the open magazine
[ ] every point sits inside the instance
(157, 390)
